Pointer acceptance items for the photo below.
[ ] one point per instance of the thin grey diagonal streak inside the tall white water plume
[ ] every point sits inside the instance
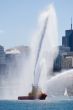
(40, 44)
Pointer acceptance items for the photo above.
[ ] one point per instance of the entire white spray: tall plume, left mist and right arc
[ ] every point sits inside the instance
(38, 69)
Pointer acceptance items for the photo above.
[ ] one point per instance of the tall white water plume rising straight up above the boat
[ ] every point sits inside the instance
(49, 50)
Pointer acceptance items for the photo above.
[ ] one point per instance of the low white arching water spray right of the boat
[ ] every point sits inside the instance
(56, 85)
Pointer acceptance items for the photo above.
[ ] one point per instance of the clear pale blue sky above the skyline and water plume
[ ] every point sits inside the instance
(18, 19)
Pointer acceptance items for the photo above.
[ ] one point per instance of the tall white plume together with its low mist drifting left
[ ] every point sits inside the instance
(21, 82)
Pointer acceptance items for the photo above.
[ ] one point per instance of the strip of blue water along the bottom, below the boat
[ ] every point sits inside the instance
(37, 105)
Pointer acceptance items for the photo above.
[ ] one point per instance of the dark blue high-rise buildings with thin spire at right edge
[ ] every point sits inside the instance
(64, 59)
